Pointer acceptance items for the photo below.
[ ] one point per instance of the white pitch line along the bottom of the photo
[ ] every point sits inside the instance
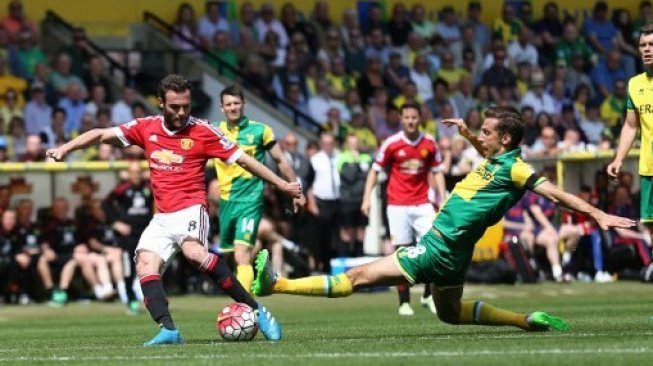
(334, 355)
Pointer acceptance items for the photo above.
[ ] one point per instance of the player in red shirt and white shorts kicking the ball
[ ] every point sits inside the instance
(177, 147)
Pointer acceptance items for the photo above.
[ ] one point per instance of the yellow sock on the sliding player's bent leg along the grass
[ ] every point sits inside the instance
(478, 312)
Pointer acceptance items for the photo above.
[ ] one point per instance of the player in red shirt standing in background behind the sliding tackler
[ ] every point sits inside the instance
(412, 161)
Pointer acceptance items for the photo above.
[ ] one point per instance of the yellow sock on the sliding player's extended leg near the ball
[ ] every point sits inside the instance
(327, 286)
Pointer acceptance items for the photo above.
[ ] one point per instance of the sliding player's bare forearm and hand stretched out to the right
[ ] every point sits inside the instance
(572, 202)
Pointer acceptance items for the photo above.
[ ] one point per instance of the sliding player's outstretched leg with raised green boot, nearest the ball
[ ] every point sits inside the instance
(383, 272)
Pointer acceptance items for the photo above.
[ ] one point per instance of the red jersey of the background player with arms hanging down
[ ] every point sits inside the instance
(408, 164)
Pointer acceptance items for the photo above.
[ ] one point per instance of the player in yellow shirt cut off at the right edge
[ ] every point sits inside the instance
(639, 114)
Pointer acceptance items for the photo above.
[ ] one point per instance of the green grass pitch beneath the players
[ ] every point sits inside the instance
(609, 325)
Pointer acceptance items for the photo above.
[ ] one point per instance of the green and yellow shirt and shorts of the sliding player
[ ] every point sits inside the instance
(476, 203)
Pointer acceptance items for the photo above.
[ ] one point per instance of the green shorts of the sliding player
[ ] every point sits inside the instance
(435, 260)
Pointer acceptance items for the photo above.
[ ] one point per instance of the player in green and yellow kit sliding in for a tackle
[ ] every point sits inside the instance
(444, 253)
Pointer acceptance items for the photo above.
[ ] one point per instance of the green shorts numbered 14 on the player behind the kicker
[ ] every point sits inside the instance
(239, 223)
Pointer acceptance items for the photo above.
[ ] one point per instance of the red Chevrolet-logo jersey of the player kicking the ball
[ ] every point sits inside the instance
(177, 158)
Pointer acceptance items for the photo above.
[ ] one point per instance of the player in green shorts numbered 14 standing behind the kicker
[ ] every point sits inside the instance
(241, 193)
